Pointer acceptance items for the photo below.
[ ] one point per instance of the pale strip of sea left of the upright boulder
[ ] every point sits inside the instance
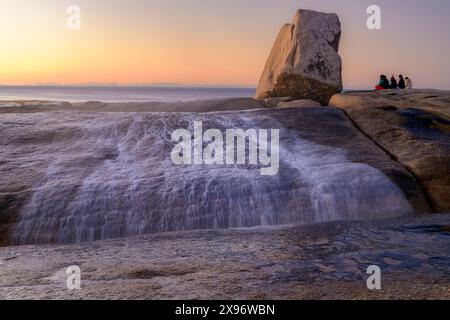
(120, 93)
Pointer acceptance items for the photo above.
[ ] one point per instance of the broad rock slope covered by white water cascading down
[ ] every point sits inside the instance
(69, 177)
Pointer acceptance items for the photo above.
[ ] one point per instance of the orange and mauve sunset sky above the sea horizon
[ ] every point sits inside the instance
(224, 42)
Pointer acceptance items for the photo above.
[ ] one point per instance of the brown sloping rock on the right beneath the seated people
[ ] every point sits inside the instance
(413, 126)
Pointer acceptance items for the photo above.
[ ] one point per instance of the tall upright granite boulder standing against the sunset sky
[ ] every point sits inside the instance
(304, 62)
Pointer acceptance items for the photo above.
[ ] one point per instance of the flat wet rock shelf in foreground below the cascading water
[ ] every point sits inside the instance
(318, 261)
